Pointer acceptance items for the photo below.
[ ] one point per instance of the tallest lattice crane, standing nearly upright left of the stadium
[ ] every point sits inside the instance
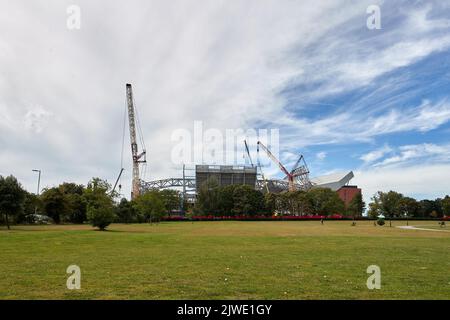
(137, 157)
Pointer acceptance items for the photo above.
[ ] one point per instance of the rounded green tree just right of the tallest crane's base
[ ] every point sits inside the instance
(150, 205)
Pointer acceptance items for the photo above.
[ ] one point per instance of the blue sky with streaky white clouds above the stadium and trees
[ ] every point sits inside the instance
(347, 97)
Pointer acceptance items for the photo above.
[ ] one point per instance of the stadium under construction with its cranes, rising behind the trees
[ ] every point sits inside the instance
(191, 178)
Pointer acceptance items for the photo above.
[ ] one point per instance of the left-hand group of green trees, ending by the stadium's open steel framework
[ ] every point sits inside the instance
(75, 203)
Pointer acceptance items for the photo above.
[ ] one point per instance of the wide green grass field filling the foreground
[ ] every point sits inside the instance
(226, 260)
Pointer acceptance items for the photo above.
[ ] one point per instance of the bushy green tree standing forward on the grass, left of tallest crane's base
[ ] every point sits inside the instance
(100, 212)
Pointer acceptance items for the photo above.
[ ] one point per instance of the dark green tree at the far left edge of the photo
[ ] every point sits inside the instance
(12, 197)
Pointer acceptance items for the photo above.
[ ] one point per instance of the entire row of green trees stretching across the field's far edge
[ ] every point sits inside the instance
(96, 203)
